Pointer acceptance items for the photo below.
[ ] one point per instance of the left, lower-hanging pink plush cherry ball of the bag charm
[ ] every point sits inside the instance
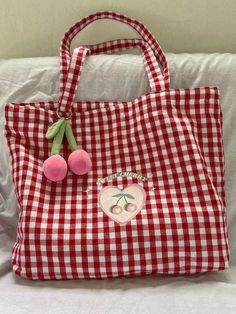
(55, 168)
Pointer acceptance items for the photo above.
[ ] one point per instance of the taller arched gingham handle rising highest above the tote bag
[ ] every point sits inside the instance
(137, 26)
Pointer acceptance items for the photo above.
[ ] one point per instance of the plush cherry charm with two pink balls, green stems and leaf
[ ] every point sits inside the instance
(55, 166)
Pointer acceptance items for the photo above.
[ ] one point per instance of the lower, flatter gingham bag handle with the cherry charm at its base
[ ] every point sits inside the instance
(151, 65)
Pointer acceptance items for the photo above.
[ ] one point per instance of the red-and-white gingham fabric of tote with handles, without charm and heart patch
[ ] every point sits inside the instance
(172, 137)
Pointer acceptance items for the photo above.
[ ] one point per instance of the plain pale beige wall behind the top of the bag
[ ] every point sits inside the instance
(34, 28)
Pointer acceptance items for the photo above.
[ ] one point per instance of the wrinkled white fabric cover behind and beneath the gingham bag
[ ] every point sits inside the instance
(119, 77)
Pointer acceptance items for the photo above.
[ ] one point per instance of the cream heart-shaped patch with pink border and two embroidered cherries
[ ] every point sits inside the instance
(122, 205)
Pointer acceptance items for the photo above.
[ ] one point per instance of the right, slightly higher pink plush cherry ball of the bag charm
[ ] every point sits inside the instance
(79, 162)
